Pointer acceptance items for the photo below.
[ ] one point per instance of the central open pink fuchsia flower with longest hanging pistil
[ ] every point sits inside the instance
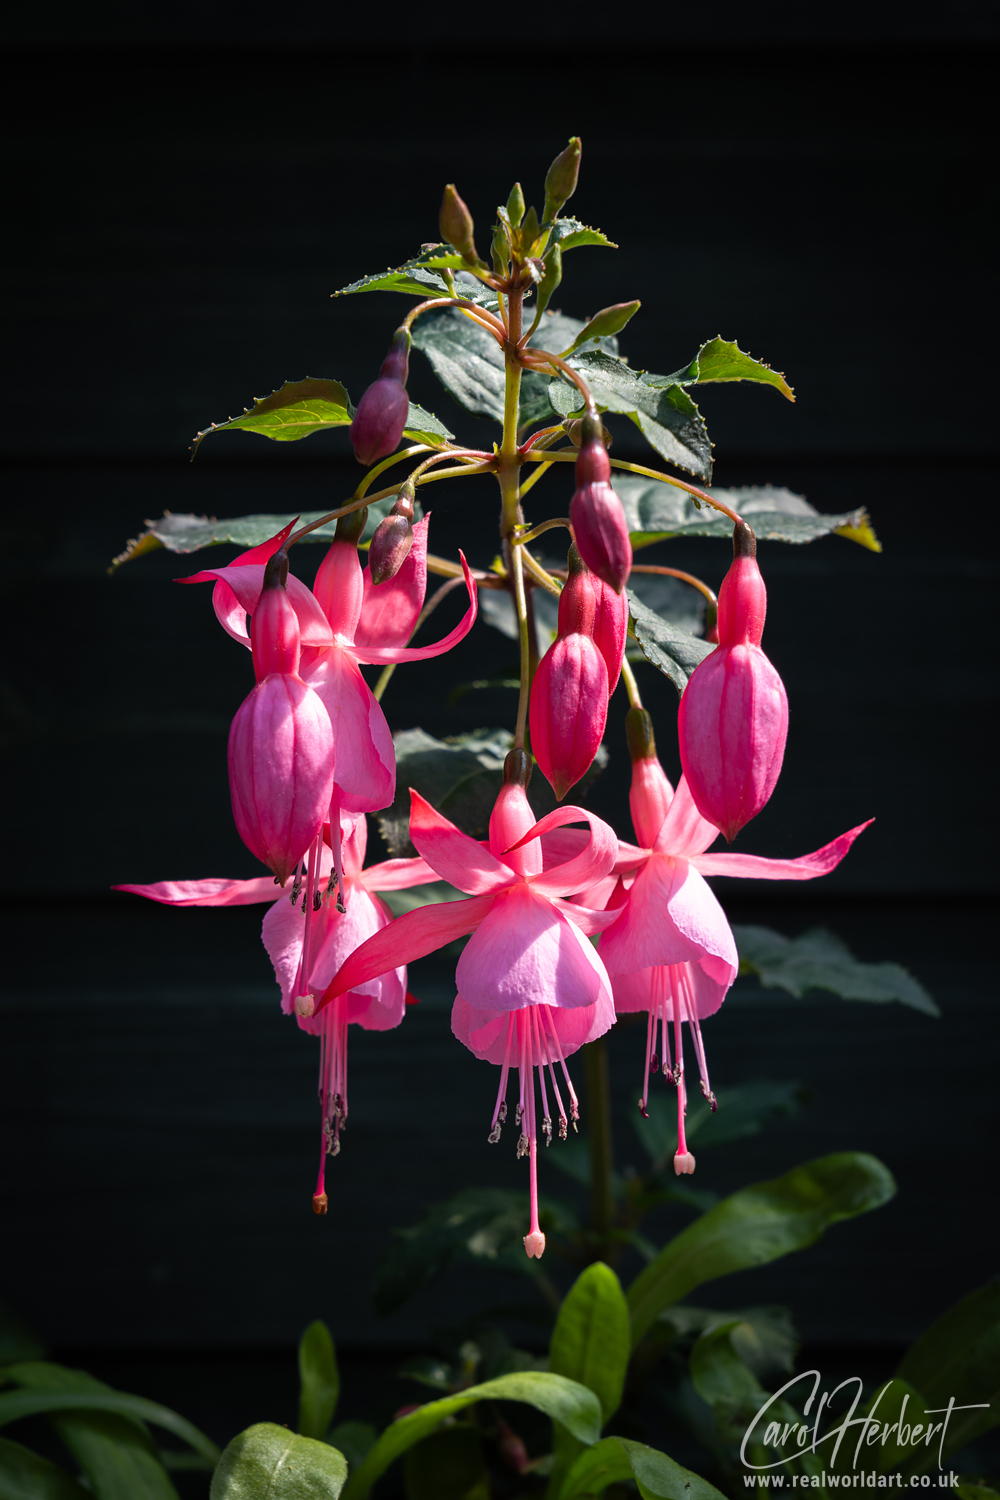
(531, 988)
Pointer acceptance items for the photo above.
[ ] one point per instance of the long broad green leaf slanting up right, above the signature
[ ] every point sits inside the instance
(759, 1225)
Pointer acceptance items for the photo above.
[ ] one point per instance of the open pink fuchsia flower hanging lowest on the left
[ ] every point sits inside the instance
(308, 940)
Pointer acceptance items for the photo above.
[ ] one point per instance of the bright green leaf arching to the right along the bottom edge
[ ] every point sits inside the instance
(561, 1400)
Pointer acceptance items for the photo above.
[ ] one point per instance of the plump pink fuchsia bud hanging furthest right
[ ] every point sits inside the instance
(734, 716)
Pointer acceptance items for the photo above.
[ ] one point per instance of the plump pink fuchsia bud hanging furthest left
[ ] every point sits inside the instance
(281, 743)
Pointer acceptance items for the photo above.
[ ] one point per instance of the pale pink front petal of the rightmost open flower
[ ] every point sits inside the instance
(671, 917)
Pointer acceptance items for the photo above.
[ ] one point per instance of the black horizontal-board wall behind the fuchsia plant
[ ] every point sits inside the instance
(188, 185)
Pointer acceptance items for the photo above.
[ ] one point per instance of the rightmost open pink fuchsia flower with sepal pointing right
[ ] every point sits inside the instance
(672, 952)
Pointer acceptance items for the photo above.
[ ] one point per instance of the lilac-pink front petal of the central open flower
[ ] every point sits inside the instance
(527, 953)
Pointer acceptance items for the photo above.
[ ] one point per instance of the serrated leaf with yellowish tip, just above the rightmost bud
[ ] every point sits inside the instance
(656, 511)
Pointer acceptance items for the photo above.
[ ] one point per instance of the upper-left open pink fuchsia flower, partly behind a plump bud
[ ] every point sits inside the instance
(344, 623)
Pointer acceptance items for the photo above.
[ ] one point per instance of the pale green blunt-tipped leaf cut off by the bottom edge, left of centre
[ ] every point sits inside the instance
(271, 1463)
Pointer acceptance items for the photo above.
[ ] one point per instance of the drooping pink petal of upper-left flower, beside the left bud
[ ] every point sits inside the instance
(367, 760)
